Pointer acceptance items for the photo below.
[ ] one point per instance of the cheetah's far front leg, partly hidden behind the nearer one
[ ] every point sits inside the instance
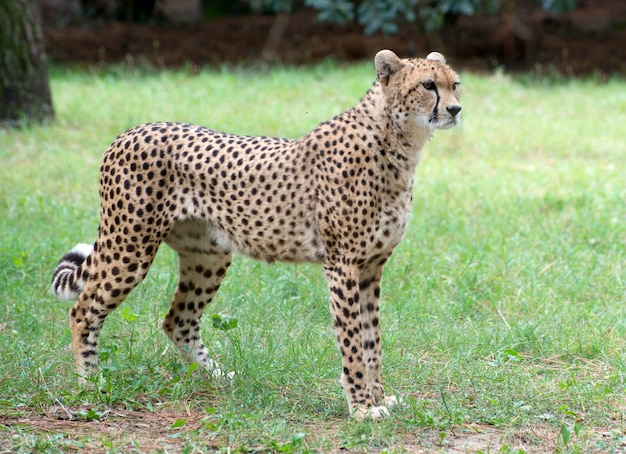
(369, 287)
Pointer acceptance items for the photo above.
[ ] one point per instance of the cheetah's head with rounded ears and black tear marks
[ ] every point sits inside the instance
(419, 93)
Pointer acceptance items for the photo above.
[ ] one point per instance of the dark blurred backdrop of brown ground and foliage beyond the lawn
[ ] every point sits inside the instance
(573, 37)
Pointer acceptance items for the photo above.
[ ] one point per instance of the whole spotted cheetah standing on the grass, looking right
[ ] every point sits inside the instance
(340, 196)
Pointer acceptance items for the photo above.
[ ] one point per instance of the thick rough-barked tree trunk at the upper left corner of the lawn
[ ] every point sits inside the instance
(24, 87)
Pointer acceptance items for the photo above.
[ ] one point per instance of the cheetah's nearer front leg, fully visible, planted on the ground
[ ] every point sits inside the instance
(343, 285)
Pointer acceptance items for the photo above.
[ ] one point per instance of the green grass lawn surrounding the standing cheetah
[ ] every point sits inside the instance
(503, 308)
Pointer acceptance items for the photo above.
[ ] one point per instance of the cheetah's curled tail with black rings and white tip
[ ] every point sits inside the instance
(67, 281)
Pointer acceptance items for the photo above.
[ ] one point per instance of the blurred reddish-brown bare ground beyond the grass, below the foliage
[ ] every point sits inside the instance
(588, 40)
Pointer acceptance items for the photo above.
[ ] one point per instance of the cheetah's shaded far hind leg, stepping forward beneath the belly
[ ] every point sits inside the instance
(200, 276)
